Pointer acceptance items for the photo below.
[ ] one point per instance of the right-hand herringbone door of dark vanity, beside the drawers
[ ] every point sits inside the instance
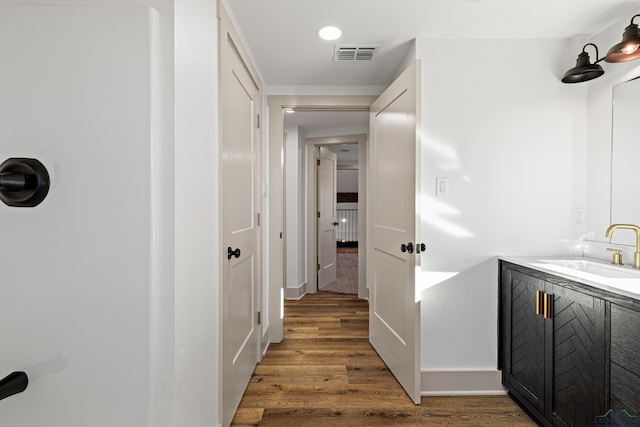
(576, 337)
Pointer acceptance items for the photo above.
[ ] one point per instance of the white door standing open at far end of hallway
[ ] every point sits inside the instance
(327, 189)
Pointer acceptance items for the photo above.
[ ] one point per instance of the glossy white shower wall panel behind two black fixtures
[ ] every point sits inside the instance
(79, 92)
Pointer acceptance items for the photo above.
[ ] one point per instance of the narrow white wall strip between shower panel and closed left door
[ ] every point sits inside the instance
(197, 234)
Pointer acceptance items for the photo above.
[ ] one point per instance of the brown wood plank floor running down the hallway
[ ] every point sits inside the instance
(325, 373)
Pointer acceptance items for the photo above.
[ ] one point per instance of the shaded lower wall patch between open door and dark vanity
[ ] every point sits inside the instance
(459, 317)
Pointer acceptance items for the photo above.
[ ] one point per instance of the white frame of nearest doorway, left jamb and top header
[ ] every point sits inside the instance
(277, 221)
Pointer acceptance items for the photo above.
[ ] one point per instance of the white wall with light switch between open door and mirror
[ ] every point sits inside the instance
(511, 138)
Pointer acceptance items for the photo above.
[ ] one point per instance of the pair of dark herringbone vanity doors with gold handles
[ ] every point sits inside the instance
(553, 348)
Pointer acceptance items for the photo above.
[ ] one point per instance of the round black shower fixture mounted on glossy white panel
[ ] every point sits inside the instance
(23, 182)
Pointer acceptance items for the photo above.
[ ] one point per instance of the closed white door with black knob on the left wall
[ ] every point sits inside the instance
(240, 103)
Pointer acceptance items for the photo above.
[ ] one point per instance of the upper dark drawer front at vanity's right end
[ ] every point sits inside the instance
(625, 338)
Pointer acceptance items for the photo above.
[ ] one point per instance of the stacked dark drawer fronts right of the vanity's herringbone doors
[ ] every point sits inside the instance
(625, 363)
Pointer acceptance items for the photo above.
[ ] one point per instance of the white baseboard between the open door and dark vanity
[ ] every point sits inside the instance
(461, 382)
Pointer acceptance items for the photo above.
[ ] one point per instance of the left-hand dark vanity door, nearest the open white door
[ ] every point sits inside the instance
(523, 338)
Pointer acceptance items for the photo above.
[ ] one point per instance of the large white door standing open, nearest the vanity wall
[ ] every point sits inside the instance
(394, 323)
